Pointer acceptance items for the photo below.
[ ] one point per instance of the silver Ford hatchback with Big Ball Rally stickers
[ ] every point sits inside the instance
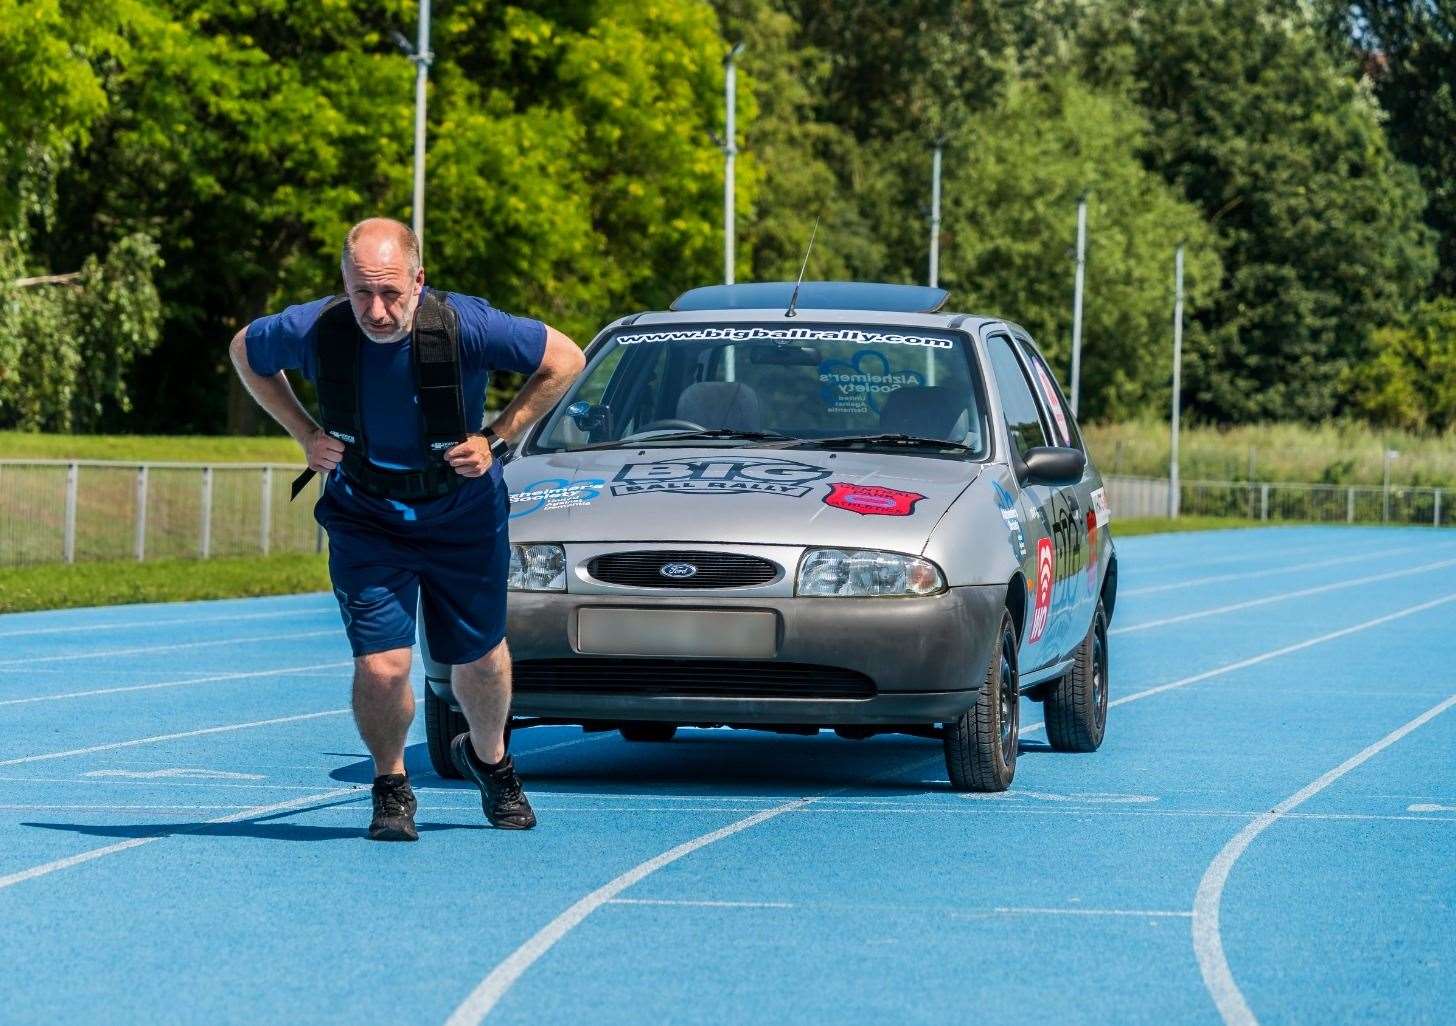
(839, 509)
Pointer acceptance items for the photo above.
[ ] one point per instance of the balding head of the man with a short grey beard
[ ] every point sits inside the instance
(382, 277)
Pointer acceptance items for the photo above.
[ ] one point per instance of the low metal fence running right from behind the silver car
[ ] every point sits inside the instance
(1321, 504)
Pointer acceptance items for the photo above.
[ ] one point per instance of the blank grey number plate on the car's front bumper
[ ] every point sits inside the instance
(707, 634)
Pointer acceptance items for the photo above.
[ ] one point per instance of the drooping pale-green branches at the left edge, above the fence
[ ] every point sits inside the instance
(68, 349)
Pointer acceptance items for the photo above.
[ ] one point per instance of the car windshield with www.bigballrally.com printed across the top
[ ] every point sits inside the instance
(769, 383)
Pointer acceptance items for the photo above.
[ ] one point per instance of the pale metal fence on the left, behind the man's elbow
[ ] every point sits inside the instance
(56, 512)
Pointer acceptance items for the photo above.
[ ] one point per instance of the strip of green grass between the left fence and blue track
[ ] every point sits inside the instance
(59, 586)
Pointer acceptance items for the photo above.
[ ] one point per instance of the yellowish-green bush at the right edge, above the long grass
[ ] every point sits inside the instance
(1410, 378)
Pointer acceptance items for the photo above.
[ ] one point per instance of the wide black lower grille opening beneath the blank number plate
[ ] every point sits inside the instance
(727, 679)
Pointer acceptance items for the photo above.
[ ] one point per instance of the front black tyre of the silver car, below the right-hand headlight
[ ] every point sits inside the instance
(982, 743)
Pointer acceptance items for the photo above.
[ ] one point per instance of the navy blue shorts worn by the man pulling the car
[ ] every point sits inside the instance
(455, 571)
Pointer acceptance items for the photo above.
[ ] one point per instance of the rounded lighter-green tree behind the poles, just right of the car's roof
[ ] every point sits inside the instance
(1013, 187)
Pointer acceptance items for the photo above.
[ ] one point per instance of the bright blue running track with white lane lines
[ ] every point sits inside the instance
(1269, 833)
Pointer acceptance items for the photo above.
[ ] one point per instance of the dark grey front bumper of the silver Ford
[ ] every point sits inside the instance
(925, 660)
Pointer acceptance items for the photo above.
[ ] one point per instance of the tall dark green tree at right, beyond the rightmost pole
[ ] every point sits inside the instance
(1318, 225)
